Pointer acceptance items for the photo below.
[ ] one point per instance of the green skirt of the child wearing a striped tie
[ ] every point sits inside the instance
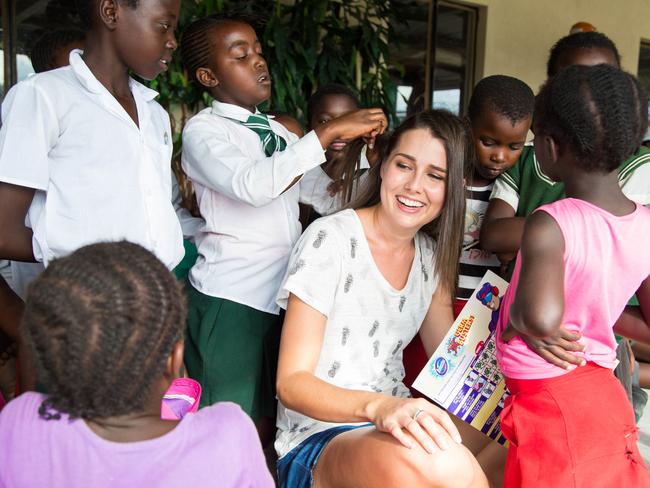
(232, 350)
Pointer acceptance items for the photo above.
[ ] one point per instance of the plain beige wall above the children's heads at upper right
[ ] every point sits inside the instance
(518, 34)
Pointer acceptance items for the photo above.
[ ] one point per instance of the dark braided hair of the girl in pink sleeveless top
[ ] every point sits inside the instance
(599, 112)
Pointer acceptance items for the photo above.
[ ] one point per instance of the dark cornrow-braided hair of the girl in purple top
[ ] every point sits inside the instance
(101, 324)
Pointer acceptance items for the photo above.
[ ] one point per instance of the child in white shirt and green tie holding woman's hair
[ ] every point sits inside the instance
(245, 178)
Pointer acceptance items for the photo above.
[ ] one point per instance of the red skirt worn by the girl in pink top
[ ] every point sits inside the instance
(575, 430)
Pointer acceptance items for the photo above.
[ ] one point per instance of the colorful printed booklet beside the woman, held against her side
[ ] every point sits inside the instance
(462, 375)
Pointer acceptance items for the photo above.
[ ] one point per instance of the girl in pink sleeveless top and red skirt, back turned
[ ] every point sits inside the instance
(581, 260)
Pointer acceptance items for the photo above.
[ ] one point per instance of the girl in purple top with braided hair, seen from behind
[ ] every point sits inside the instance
(107, 341)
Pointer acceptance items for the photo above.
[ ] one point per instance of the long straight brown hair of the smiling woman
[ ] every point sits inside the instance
(447, 228)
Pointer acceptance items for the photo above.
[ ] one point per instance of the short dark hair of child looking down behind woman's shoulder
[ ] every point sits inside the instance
(504, 95)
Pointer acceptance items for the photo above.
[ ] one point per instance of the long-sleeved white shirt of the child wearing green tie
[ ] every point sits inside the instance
(251, 223)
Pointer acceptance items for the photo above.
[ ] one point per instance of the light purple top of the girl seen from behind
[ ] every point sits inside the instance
(217, 446)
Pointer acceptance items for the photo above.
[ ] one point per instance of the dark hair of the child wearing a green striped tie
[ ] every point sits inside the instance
(196, 45)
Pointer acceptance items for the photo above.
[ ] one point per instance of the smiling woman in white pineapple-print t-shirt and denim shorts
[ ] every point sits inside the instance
(360, 284)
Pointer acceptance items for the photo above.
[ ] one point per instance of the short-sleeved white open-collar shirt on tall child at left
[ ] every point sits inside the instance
(98, 176)
